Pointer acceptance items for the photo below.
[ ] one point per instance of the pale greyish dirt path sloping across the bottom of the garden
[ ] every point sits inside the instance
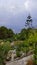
(22, 61)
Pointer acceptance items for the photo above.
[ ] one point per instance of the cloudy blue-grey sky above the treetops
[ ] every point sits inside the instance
(13, 13)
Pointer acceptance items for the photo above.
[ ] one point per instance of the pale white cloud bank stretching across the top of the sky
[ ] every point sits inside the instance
(16, 6)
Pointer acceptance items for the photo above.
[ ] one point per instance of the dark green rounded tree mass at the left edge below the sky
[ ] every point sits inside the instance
(6, 33)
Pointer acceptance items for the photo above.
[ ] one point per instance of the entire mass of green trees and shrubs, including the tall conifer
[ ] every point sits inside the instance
(25, 41)
